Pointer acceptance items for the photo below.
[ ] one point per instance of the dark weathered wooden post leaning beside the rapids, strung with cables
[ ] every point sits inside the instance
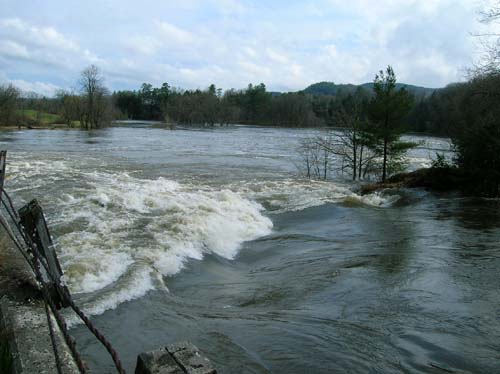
(34, 224)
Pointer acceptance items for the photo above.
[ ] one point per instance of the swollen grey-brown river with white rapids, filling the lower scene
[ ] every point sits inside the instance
(210, 236)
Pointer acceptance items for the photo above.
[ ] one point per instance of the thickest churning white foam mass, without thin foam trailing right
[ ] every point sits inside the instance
(122, 222)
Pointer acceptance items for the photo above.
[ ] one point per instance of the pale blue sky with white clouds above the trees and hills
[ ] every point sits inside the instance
(287, 44)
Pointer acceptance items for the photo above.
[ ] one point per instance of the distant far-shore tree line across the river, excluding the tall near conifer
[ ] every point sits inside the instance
(92, 105)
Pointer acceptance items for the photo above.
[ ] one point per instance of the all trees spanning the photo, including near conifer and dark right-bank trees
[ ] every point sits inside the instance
(371, 118)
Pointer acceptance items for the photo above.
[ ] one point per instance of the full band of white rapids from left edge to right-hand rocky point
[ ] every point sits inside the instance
(118, 236)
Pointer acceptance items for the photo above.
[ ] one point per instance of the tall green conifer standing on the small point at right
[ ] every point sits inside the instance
(387, 111)
